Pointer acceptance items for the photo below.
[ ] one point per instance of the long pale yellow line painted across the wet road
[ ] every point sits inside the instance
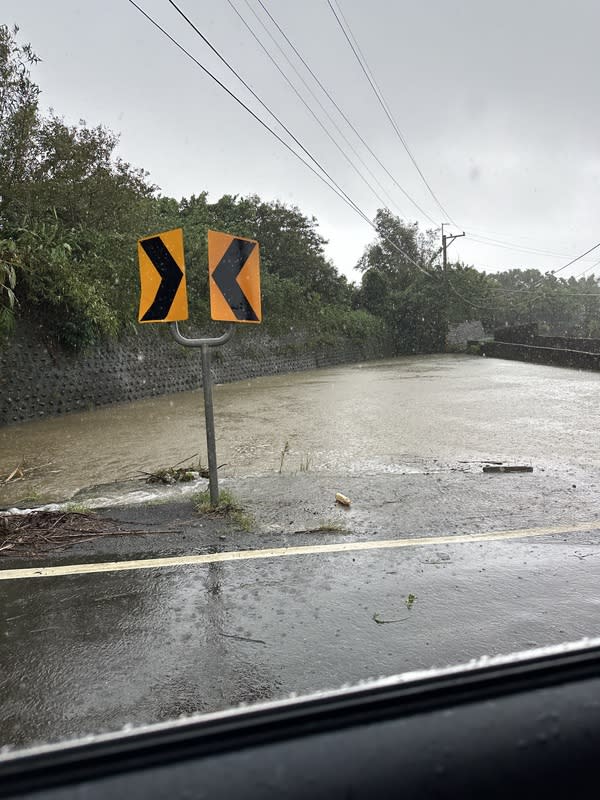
(303, 550)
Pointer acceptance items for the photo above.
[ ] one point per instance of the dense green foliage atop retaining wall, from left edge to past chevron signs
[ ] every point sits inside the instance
(71, 211)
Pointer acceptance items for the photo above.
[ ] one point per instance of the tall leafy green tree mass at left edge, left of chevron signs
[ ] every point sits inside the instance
(69, 212)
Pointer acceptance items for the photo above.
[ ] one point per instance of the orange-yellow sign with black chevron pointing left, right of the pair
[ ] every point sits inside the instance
(234, 278)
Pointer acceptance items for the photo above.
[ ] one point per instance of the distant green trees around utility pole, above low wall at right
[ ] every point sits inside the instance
(417, 301)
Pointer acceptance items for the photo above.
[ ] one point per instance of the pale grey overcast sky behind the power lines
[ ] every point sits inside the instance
(498, 101)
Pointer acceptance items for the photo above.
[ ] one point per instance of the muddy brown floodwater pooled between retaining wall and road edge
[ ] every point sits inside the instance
(403, 415)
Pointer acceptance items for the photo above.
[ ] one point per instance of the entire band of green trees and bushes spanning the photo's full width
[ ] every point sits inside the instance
(71, 212)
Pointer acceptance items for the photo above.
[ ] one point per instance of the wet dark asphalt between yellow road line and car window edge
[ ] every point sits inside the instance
(91, 653)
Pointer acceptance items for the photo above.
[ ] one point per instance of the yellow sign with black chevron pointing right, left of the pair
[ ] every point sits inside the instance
(163, 296)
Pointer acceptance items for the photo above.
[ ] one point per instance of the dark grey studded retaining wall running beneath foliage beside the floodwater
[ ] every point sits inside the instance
(37, 380)
